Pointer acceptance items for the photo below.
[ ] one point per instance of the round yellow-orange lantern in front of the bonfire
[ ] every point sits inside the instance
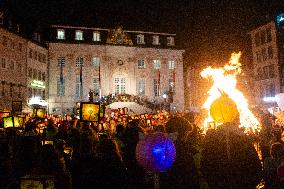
(223, 110)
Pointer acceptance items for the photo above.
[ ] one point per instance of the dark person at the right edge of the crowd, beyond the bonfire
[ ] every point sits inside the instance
(271, 164)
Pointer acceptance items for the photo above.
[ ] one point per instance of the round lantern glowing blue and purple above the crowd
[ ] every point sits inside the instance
(156, 152)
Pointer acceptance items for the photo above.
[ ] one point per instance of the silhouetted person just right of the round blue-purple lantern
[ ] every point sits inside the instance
(183, 173)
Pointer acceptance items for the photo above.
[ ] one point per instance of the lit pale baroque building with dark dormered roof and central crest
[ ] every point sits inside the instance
(111, 62)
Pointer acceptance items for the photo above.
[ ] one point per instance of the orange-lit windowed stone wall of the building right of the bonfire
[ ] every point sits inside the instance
(266, 67)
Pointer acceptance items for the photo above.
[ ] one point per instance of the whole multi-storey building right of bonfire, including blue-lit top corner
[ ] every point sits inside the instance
(268, 61)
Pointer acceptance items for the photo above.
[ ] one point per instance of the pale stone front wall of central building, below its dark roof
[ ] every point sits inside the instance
(110, 56)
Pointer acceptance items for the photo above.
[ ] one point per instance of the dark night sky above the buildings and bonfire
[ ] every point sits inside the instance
(208, 29)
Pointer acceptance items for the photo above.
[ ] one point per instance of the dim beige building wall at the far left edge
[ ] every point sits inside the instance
(13, 69)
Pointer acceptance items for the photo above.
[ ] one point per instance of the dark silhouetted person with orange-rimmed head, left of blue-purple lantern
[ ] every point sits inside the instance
(107, 169)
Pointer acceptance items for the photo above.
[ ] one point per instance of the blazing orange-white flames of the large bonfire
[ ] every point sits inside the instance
(224, 79)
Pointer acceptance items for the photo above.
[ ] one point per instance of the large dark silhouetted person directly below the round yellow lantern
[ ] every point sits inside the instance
(229, 159)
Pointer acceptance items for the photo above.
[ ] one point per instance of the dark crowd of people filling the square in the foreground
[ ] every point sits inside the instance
(89, 155)
